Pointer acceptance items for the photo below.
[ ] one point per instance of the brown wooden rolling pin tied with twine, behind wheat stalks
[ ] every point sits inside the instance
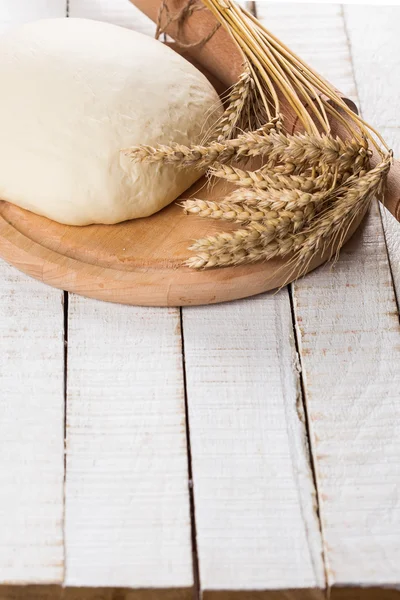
(221, 57)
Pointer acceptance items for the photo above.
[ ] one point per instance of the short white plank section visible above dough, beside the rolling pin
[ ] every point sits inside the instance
(118, 12)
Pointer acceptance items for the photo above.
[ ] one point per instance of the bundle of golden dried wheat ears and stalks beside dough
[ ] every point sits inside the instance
(311, 186)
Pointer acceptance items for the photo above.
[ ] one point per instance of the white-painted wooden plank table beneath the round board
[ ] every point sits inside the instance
(230, 450)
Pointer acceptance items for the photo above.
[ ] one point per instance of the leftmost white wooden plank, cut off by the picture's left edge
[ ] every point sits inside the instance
(31, 404)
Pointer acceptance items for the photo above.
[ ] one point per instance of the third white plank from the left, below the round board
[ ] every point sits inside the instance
(253, 487)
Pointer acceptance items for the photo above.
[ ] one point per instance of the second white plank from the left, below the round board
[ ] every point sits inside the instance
(127, 509)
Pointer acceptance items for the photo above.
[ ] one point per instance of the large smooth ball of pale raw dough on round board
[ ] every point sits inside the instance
(74, 93)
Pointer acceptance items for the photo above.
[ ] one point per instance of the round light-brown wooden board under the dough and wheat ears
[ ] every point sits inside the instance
(139, 262)
